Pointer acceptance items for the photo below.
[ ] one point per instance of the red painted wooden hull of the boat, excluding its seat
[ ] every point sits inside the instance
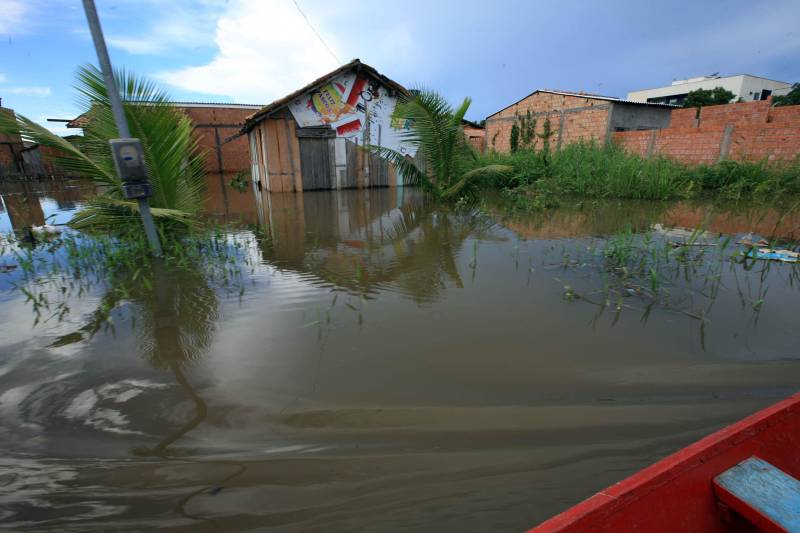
(676, 494)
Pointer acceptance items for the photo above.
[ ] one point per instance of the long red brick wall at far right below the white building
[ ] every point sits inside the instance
(743, 131)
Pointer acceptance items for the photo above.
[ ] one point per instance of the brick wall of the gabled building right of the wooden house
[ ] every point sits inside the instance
(585, 118)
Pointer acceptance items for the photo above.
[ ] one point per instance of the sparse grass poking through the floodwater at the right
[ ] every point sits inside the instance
(641, 271)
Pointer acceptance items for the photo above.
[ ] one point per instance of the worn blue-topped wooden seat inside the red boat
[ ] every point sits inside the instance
(761, 493)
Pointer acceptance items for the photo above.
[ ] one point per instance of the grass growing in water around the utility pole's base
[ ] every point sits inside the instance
(54, 273)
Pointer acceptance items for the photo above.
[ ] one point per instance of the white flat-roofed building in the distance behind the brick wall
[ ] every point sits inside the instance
(743, 86)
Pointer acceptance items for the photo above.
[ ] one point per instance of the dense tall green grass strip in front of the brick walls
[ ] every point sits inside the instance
(606, 171)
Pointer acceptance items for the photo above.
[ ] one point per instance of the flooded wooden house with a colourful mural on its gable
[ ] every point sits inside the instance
(311, 138)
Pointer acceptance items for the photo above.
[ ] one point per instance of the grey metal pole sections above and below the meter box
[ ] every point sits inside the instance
(119, 112)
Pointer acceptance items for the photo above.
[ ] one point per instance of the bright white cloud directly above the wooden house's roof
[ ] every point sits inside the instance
(265, 50)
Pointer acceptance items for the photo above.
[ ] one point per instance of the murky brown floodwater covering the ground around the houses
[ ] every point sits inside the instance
(389, 365)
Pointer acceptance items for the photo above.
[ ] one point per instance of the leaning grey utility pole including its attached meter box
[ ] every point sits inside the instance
(127, 151)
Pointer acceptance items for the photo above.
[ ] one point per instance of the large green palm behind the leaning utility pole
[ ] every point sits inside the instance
(174, 161)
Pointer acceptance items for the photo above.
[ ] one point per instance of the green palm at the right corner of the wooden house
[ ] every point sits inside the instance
(448, 167)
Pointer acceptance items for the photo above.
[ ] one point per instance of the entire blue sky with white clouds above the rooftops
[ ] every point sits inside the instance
(253, 51)
